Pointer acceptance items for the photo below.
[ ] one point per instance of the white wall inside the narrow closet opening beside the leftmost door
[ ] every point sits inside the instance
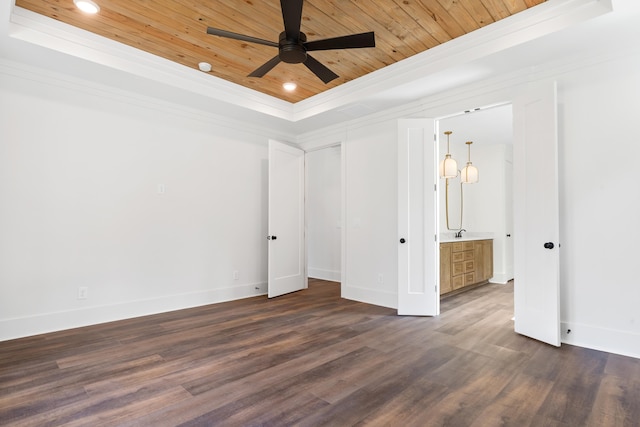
(324, 207)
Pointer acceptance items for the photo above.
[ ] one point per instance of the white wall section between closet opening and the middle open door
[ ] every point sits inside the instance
(371, 214)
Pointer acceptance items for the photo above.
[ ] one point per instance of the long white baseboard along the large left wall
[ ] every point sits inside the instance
(52, 322)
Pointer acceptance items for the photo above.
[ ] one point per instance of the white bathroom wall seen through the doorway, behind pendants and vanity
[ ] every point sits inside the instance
(486, 207)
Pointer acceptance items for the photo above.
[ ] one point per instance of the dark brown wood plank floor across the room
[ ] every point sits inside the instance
(313, 359)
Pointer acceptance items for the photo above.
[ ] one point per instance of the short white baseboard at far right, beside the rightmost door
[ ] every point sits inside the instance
(609, 340)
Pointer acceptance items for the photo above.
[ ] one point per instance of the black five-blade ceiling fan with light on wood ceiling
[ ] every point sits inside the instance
(293, 45)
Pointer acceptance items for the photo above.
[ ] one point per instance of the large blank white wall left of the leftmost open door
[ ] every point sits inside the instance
(79, 207)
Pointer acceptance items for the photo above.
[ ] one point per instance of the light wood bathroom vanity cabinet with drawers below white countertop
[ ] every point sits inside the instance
(465, 263)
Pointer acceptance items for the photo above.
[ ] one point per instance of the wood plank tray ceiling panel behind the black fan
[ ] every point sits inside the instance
(176, 30)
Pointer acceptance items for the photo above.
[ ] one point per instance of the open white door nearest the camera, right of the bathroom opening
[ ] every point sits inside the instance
(535, 169)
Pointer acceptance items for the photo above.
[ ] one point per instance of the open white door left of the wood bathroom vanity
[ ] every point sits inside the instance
(418, 259)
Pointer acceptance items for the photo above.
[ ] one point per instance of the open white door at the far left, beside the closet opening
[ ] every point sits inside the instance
(287, 258)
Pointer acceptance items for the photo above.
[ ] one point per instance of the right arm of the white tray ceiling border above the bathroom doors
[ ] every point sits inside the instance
(517, 29)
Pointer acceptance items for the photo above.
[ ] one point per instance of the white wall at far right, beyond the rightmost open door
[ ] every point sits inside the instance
(600, 206)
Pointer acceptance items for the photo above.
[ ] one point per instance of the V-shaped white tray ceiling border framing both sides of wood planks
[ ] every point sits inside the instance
(544, 19)
